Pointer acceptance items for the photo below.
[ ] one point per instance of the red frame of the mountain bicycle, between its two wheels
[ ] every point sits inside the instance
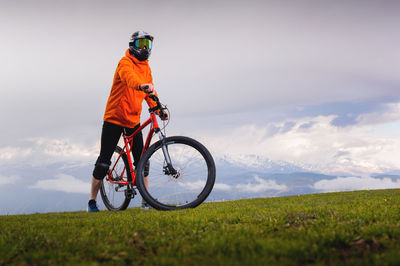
(128, 147)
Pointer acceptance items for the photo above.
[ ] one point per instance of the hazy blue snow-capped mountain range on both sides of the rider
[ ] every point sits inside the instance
(60, 186)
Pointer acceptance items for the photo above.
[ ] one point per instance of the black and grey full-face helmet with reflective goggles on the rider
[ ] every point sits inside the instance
(137, 49)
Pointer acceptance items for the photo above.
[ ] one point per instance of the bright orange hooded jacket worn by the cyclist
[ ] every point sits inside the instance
(124, 105)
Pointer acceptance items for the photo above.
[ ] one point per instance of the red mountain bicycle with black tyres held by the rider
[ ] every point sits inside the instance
(174, 173)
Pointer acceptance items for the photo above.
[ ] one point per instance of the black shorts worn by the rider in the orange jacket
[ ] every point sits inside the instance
(109, 139)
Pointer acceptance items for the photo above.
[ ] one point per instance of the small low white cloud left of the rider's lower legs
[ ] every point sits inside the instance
(64, 183)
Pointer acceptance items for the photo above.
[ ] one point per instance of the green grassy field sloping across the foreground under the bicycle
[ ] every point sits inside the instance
(360, 227)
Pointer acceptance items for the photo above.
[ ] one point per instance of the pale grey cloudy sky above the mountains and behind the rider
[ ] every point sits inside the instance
(314, 83)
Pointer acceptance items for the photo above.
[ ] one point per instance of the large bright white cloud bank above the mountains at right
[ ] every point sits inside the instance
(315, 144)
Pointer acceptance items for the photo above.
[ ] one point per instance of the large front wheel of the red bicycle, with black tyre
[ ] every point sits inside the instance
(186, 184)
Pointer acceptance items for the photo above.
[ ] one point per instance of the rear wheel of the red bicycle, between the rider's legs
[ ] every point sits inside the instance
(116, 196)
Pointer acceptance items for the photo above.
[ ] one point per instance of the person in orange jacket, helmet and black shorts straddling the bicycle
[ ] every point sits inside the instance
(132, 84)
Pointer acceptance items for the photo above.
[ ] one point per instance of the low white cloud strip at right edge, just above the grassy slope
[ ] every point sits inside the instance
(356, 183)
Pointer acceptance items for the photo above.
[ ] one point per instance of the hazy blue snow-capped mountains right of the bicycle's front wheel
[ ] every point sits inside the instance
(247, 176)
